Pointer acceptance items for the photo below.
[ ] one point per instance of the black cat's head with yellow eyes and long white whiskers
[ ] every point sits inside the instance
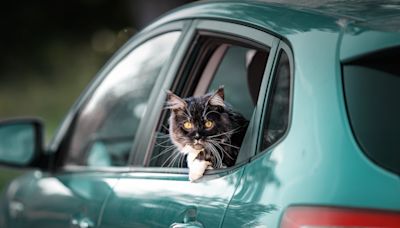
(200, 122)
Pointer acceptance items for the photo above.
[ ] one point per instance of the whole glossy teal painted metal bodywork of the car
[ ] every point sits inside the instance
(318, 163)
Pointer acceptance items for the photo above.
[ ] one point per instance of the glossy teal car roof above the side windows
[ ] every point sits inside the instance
(372, 14)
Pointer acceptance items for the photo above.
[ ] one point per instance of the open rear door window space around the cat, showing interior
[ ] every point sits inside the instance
(215, 61)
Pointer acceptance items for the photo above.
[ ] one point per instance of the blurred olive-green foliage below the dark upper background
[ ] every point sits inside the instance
(47, 91)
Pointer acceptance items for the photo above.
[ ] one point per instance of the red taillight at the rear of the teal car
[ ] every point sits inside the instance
(302, 217)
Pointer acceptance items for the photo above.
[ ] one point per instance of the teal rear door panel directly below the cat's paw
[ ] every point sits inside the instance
(151, 199)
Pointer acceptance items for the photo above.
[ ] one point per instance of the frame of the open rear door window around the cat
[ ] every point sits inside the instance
(232, 32)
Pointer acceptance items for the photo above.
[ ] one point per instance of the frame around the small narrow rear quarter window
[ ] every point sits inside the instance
(283, 47)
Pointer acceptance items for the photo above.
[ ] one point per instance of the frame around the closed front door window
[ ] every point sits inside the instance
(58, 146)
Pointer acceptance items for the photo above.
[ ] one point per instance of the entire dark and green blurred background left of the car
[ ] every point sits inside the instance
(50, 50)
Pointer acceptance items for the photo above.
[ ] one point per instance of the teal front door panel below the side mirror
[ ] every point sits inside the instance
(61, 200)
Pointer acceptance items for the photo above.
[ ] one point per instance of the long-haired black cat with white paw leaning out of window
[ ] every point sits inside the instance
(206, 130)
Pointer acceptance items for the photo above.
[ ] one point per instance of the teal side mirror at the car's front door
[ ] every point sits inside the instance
(21, 141)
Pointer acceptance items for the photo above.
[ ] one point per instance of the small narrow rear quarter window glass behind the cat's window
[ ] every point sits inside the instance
(277, 115)
